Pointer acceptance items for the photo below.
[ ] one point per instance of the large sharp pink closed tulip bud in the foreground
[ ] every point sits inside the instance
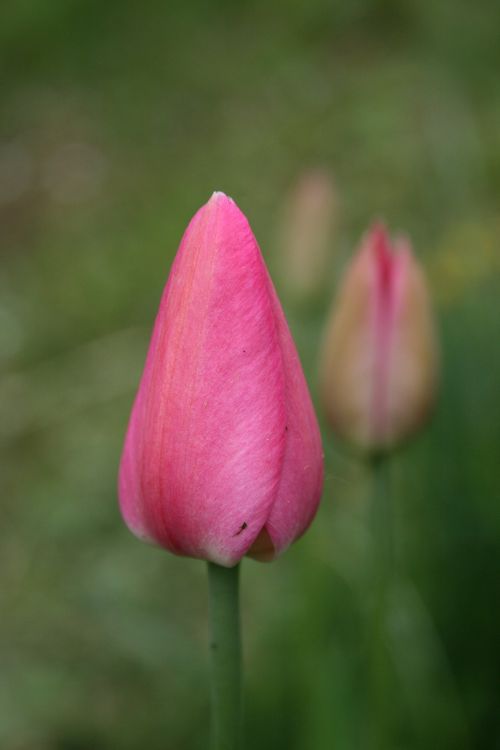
(223, 454)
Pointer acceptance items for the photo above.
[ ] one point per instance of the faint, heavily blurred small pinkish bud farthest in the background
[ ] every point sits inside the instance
(305, 238)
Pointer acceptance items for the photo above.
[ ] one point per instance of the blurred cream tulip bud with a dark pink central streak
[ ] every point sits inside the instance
(379, 361)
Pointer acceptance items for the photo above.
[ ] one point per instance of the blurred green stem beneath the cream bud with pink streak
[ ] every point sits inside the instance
(382, 568)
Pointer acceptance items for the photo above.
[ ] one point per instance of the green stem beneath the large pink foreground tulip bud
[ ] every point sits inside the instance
(225, 647)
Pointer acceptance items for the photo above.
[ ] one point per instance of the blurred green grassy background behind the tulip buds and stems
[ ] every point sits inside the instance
(118, 119)
